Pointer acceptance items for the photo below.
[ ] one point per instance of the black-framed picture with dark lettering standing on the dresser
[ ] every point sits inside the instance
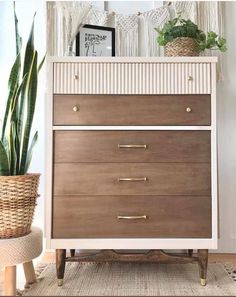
(95, 41)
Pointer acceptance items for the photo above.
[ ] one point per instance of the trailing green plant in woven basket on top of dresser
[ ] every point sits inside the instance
(182, 37)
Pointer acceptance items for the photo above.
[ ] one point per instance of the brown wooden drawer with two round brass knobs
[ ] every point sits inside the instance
(132, 110)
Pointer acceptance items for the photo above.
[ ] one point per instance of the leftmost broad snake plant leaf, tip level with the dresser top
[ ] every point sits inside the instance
(12, 87)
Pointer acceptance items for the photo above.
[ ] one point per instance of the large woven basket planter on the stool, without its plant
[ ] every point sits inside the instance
(18, 195)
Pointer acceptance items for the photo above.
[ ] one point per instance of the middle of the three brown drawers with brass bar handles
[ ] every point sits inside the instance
(161, 179)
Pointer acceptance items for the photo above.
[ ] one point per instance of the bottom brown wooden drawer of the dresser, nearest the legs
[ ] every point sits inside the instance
(96, 217)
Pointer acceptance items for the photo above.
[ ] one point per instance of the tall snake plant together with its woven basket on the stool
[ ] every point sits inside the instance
(18, 188)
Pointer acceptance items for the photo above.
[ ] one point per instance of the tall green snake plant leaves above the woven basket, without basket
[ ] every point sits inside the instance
(16, 143)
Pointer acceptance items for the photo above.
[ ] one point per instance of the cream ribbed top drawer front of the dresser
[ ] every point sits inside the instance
(131, 78)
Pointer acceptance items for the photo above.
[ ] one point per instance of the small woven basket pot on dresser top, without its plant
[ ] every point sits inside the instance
(181, 46)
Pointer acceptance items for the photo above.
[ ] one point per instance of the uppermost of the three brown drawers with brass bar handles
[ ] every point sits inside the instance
(148, 146)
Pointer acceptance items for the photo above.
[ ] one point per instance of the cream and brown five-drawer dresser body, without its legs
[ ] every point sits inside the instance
(131, 154)
